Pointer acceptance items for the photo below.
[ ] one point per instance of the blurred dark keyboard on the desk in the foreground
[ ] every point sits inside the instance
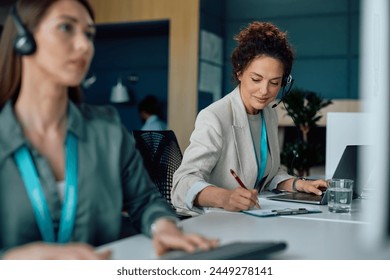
(232, 251)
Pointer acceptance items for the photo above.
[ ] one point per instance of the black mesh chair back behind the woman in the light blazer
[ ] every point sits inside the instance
(162, 156)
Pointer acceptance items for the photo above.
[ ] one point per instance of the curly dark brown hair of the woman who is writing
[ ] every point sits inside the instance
(257, 39)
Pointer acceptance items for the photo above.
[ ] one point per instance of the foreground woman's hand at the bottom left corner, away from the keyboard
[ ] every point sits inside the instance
(44, 251)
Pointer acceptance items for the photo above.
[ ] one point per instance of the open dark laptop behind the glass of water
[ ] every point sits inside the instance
(346, 169)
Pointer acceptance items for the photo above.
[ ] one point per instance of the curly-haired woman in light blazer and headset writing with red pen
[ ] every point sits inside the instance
(240, 131)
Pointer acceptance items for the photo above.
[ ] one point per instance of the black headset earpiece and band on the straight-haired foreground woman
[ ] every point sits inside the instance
(24, 43)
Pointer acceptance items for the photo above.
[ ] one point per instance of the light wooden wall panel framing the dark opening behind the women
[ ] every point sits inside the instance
(183, 51)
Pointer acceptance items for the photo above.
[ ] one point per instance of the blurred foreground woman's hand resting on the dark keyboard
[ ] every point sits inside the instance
(167, 236)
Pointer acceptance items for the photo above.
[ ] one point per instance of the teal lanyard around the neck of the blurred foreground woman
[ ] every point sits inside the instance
(37, 197)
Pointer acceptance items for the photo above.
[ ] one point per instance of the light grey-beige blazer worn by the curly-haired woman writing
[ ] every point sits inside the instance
(222, 141)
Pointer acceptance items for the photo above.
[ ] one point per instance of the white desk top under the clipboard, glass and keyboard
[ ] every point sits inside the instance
(309, 236)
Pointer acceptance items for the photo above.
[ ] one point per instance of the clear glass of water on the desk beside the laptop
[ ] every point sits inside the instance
(340, 195)
